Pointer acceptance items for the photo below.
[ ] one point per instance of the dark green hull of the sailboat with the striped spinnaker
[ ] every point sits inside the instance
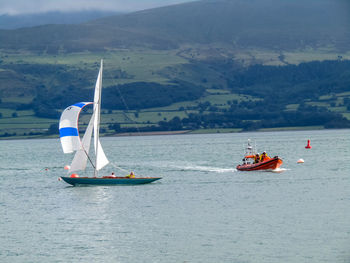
(108, 181)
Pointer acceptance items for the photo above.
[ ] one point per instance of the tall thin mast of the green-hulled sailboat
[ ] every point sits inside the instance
(97, 101)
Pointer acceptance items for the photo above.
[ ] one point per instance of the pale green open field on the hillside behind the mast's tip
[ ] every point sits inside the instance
(136, 65)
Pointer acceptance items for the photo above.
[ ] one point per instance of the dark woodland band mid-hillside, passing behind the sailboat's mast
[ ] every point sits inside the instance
(136, 95)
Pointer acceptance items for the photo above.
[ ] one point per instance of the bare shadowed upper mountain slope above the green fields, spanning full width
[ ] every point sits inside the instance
(269, 24)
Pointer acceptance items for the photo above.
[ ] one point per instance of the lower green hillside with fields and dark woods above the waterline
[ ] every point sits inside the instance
(227, 96)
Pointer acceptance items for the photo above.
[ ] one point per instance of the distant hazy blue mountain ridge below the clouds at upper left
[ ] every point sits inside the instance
(54, 17)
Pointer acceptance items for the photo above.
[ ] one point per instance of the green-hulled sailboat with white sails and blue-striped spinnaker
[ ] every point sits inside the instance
(71, 142)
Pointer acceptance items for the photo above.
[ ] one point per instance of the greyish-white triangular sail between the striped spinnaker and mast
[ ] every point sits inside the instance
(82, 155)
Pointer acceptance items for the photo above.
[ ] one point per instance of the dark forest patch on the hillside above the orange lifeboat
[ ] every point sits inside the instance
(292, 83)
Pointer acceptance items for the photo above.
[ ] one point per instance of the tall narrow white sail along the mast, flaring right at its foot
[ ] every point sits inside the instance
(101, 159)
